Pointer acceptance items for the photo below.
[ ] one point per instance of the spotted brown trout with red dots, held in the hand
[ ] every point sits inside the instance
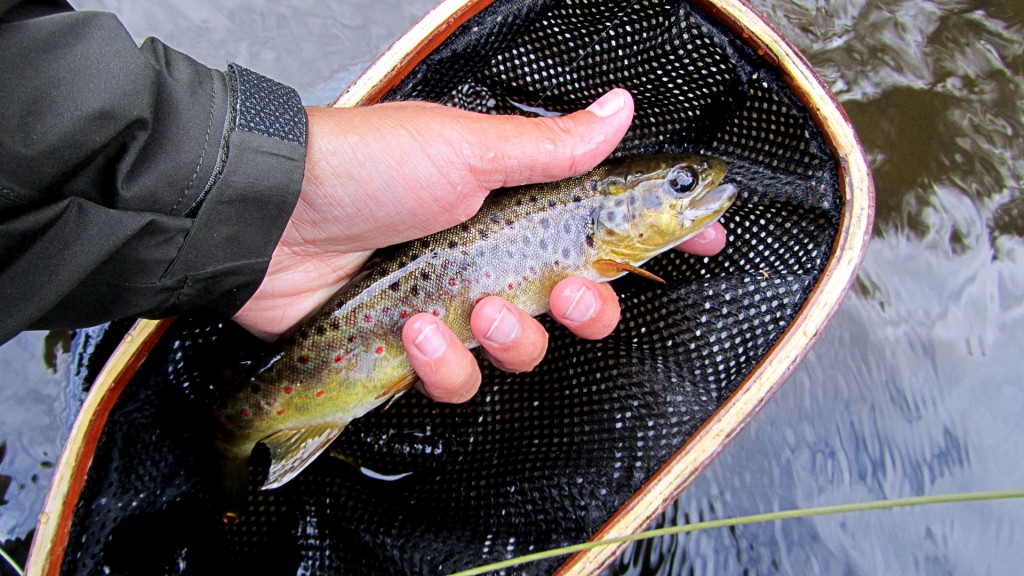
(349, 358)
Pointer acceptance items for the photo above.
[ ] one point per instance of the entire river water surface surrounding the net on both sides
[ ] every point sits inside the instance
(916, 386)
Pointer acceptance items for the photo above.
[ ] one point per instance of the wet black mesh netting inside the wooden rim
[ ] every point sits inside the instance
(536, 461)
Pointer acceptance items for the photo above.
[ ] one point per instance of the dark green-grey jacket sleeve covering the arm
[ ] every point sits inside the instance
(135, 182)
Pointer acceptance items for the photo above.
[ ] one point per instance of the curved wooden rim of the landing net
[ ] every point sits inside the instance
(857, 189)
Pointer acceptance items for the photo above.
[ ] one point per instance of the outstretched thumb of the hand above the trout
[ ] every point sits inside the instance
(541, 150)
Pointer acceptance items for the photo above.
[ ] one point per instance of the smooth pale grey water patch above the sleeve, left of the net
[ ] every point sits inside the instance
(317, 48)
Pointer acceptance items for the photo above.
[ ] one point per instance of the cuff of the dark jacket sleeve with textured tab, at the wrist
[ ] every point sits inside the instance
(242, 215)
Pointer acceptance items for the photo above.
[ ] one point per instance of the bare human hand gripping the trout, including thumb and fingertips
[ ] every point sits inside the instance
(385, 175)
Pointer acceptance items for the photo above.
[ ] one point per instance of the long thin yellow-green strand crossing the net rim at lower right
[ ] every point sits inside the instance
(785, 515)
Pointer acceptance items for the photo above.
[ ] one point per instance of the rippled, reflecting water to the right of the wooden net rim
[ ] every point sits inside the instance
(915, 387)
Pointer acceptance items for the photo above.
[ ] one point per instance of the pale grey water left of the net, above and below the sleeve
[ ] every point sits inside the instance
(317, 48)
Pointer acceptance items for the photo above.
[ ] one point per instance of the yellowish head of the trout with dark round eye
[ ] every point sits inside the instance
(651, 204)
